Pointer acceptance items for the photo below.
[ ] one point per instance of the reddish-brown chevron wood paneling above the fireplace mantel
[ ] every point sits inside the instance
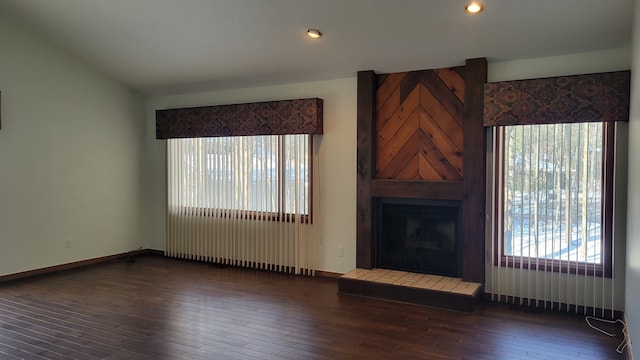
(419, 125)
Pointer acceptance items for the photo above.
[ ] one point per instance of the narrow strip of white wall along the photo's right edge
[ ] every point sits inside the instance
(632, 300)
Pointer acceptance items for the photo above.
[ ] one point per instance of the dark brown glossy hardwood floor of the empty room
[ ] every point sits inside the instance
(160, 308)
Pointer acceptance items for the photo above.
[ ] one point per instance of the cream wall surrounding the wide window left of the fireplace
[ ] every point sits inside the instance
(337, 160)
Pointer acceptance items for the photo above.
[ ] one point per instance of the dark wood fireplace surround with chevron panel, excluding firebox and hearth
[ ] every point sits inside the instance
(421, 136)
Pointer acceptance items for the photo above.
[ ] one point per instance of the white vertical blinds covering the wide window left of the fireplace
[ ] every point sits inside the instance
(243, 201)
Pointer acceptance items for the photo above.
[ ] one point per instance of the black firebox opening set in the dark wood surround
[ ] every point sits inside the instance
(420, 236)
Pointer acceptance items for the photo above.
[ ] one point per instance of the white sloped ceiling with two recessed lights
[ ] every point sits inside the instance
(158, 46)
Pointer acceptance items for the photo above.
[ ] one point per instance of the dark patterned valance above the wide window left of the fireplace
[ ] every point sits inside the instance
(302, 116)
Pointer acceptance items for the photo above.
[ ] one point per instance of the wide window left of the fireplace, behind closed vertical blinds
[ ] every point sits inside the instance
(267, 176)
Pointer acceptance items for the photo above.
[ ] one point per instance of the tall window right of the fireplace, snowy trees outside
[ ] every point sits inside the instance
(554, 196)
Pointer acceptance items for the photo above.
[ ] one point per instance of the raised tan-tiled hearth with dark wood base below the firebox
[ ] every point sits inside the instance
(423, 289)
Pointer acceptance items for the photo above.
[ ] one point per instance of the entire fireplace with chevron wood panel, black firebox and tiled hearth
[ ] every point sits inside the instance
(420, 136)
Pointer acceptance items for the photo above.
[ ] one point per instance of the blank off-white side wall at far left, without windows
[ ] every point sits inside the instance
(70, 157)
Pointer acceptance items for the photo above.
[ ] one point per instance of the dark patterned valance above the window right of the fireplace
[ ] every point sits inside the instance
(563, 99)
